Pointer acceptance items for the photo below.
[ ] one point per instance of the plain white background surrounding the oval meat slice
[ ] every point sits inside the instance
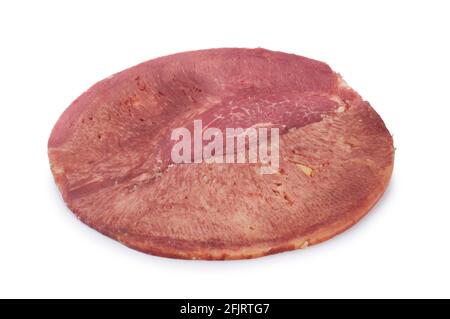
(394, 53)
